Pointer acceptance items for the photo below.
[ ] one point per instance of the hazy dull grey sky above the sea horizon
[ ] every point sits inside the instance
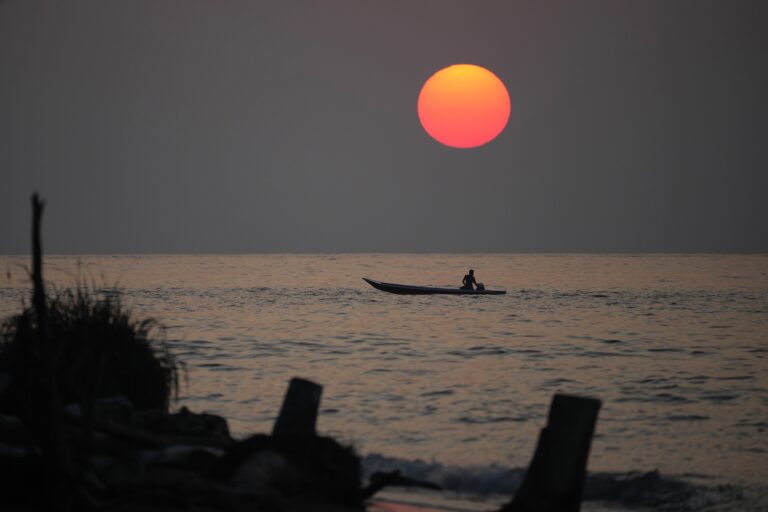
(288, 126)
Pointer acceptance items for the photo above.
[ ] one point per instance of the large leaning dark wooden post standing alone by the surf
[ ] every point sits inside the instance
(555, 478)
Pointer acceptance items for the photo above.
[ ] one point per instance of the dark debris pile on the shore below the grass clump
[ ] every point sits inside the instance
(129, 460)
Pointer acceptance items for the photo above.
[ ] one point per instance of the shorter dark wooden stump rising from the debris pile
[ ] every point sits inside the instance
(298, 415)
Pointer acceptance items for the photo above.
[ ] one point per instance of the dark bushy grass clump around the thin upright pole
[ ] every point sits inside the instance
(92, 348)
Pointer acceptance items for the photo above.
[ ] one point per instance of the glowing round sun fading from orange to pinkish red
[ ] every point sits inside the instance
(464, 106)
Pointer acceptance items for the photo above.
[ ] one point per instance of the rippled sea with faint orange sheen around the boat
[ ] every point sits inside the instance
(455, 389)
